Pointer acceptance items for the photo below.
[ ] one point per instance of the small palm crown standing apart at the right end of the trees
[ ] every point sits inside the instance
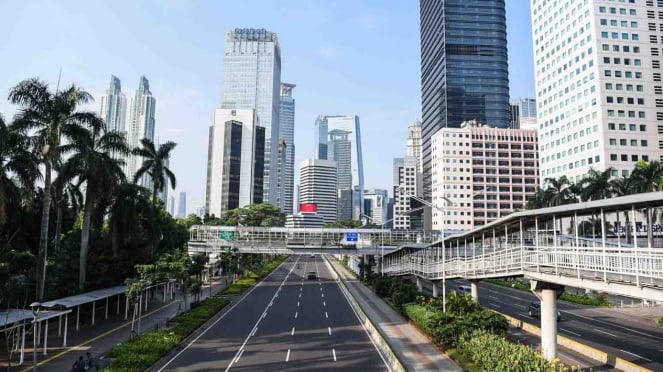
(154, 165)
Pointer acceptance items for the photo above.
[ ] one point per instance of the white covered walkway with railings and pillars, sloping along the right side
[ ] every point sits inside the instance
(604, 245)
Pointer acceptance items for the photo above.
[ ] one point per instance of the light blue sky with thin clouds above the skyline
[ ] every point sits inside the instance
(346, 57)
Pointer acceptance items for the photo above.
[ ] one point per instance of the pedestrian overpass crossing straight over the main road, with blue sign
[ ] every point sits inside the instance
(215, 240)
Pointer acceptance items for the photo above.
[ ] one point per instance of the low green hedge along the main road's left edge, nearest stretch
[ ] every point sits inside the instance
(143, 351)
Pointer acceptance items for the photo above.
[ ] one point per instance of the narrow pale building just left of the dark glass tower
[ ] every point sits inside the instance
(407, 181)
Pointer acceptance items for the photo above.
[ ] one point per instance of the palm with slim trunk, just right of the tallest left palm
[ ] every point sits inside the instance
(95, 162)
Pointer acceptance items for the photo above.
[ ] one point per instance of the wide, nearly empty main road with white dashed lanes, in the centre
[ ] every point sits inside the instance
(286, 322)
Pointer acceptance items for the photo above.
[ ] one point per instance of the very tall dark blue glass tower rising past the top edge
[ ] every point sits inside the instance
(464, 69)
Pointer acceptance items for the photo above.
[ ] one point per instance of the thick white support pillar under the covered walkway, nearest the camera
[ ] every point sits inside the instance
(548, 294)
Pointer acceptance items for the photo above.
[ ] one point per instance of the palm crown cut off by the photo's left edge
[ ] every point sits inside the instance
(18, 168)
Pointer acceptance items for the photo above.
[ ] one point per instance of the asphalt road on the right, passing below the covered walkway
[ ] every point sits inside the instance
(617, 334)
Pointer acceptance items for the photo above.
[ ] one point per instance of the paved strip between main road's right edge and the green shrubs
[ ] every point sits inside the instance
(413, 349)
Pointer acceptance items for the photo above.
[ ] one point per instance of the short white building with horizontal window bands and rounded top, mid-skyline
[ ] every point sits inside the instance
(318, 186)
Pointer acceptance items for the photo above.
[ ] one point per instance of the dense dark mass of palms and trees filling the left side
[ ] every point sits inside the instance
(60, 162)
